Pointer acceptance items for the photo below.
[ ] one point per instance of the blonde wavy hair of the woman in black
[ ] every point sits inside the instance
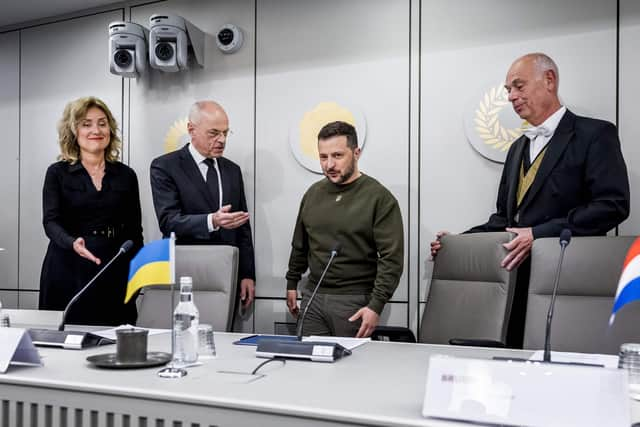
(73, 114)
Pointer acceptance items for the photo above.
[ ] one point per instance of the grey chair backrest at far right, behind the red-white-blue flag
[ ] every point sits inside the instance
(590, 272)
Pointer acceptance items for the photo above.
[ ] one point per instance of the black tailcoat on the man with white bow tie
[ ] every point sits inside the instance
(582, 183)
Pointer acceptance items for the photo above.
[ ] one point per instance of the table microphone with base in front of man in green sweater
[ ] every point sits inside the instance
(319, 351)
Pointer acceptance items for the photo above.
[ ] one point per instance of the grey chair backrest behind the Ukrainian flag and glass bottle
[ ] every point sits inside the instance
(214, 270)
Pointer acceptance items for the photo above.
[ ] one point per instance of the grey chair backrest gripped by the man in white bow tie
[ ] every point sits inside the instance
(470, 295)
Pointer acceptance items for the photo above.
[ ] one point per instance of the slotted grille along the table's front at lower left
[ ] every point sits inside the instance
(51, 406)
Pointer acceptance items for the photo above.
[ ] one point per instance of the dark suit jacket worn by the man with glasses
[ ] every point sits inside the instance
(182, 203)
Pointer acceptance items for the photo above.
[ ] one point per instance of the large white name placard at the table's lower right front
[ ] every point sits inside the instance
(525, 393)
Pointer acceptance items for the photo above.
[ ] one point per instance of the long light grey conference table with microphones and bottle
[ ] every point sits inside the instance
(380, 384)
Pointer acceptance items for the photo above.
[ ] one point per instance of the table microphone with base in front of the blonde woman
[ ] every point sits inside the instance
(74, 339)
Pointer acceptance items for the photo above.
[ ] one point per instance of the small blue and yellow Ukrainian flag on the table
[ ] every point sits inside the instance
(154, 264)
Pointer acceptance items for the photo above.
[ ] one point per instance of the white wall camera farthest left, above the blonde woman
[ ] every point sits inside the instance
(127, 49)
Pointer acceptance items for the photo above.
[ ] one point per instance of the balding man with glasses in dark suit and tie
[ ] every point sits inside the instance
(199, 195)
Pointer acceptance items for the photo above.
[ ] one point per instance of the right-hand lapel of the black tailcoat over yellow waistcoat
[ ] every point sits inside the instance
(555, 149)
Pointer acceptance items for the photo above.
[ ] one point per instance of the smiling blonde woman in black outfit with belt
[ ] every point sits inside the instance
(91, 206)
